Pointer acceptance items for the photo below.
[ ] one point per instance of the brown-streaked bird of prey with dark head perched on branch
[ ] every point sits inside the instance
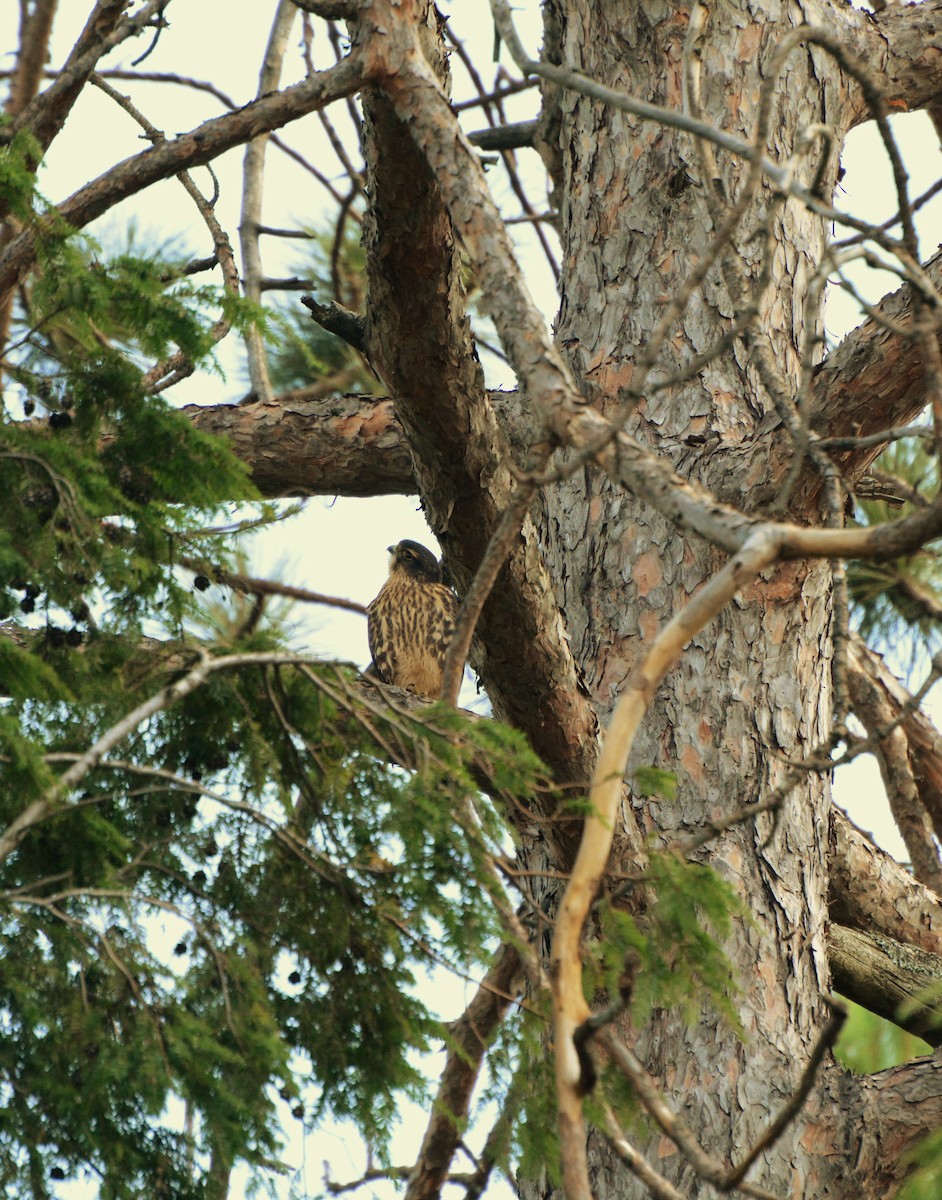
(411, 621)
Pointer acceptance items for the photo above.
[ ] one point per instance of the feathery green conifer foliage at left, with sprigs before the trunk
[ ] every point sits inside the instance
(238, 907)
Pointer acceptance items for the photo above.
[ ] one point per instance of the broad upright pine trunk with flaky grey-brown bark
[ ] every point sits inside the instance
(754, 688)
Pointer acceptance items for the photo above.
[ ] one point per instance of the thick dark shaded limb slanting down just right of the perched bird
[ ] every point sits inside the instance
(421, 341)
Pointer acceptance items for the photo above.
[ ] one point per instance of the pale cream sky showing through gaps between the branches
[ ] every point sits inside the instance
(339, 548)
